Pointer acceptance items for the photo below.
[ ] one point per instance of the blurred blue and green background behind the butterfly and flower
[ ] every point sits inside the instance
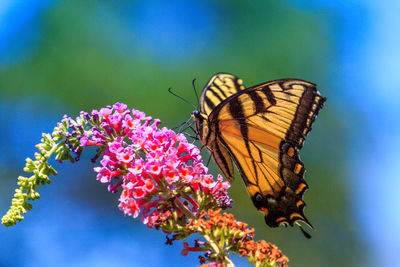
(59, 57)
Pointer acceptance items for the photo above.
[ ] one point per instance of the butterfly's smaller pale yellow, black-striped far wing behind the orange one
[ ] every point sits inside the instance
(220, 87)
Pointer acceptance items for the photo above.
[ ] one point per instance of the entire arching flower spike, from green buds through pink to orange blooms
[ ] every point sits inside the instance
(159, 175)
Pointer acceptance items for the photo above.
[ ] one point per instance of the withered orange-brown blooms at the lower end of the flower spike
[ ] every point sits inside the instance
(224, 231)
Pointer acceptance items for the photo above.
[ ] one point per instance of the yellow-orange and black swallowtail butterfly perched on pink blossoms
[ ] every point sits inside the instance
(261, 130)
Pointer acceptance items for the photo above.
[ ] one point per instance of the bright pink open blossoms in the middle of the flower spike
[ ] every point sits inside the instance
(158, 170)
